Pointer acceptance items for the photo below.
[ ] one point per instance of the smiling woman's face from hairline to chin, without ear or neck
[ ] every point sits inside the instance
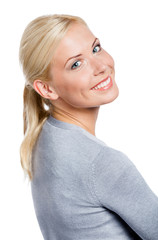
(78, 65)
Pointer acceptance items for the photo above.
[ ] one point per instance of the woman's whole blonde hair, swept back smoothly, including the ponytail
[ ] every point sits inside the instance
(37, 46)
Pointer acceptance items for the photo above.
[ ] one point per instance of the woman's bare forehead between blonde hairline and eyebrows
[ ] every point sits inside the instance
(77, 39)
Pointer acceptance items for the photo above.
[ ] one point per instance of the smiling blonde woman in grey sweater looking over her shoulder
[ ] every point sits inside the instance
(81, 188)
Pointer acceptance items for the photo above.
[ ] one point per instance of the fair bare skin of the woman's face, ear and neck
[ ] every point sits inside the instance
(72, 79)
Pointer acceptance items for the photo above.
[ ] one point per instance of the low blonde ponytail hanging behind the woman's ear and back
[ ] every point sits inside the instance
(34, 116)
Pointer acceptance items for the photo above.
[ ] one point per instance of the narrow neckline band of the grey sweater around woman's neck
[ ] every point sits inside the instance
(71, 126)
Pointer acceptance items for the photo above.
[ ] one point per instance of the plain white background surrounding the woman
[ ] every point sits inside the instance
(128, 31)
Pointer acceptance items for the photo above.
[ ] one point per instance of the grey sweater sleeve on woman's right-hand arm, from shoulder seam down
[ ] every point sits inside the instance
(119, 187)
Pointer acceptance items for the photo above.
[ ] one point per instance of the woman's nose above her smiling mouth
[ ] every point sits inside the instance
(99, 67)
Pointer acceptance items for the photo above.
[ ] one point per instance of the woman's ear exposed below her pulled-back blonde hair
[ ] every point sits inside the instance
(45, 90)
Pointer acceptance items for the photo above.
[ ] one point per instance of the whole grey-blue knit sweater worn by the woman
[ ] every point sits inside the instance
(83, 189)
